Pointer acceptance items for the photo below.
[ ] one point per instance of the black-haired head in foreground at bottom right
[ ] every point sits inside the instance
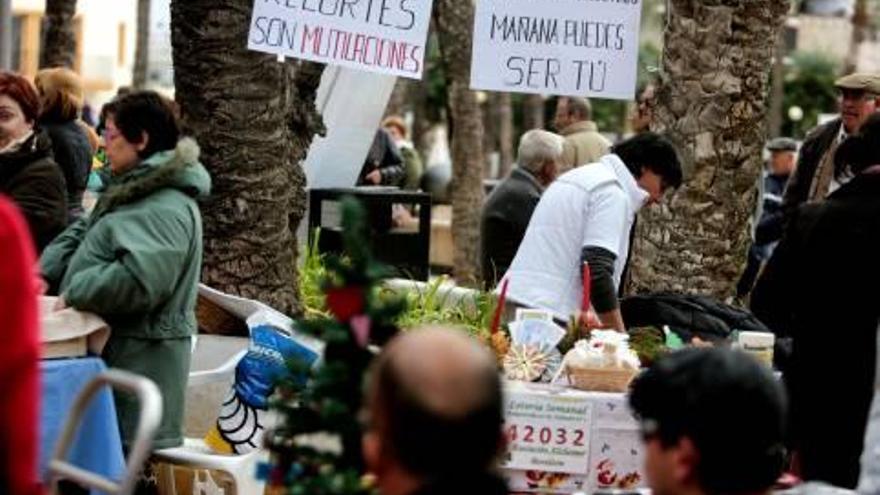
(713, 423)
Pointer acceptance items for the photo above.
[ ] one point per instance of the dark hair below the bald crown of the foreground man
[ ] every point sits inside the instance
(428, 443)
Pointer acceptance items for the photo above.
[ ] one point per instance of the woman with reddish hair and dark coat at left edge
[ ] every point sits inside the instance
(28, 175)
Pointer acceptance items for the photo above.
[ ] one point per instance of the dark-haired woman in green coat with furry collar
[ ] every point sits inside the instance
(136, 260)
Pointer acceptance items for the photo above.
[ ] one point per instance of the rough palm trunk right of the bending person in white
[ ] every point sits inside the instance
(712, 103)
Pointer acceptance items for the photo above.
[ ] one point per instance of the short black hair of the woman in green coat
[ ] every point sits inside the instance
(147, 112)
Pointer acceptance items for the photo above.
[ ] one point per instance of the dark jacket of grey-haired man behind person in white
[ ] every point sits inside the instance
(506, 215)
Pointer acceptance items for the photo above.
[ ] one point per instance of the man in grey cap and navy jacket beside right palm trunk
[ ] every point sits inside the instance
(768, 231)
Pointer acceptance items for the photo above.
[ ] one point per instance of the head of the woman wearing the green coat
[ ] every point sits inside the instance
(143, 124)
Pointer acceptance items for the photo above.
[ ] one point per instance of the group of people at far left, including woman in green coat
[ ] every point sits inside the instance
(135, 259)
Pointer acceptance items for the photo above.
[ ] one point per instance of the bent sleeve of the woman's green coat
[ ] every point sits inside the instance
(141, 259)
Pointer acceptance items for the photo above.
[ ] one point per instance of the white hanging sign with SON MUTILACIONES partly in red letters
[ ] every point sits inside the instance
(383, 36)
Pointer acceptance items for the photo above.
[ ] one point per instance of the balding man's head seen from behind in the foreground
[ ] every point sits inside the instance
(434, 416)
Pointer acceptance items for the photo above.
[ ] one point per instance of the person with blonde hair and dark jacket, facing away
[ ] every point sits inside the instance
(61, 100)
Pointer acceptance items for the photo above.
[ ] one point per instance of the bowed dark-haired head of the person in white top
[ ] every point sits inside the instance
(652, 160)
